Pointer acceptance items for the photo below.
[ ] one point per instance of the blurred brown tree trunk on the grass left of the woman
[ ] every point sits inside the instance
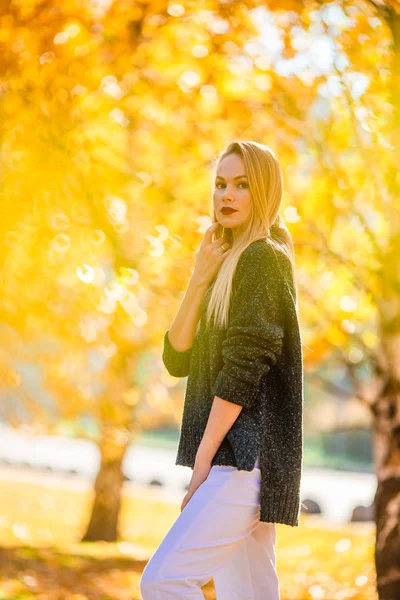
(103, 523)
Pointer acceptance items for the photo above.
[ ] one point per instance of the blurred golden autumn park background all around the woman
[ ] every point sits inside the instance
(111, 114)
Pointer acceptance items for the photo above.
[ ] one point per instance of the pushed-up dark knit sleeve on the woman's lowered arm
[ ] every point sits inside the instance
(255, 331)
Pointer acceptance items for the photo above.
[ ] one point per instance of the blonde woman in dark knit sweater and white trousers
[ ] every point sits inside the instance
(239, 343)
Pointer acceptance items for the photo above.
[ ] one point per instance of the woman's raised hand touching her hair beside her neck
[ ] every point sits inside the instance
(210, 256)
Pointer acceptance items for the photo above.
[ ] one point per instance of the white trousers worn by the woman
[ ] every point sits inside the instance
(217, 535)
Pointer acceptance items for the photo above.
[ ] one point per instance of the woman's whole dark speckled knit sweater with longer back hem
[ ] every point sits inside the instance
(256, 362)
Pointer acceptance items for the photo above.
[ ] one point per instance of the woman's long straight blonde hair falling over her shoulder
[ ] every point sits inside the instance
(266, 187)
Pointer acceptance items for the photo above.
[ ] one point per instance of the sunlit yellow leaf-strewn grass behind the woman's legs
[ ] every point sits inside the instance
(41, 557)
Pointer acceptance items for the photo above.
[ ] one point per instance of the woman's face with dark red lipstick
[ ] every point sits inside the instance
(232, 190)
